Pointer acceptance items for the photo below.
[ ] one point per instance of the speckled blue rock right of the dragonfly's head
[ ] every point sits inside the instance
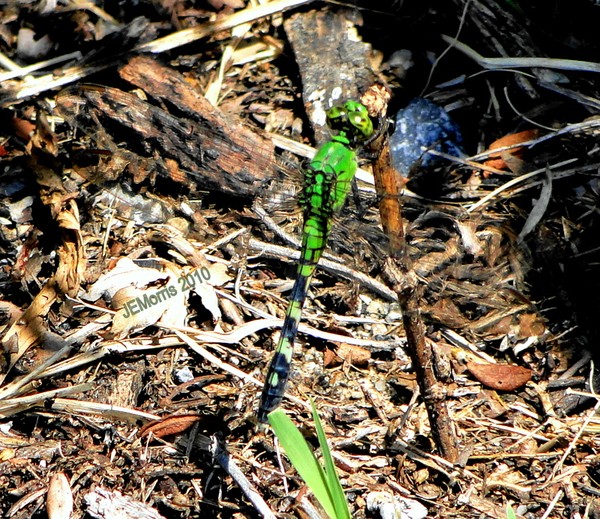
(423, 124)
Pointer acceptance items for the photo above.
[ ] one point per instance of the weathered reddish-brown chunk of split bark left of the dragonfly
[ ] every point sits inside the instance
(194, 144)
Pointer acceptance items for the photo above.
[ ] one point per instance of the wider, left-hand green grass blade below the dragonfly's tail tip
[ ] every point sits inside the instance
(303, 459)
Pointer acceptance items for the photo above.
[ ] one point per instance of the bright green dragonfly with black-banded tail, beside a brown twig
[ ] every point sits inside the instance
(327, 182)
